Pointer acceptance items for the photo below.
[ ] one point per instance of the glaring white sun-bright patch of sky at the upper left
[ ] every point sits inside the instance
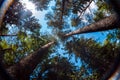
(29, 5)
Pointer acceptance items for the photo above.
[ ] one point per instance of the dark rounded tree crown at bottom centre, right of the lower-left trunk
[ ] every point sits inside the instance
(56, 68)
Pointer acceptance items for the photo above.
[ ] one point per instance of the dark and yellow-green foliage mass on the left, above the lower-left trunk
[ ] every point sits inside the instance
(27, 39)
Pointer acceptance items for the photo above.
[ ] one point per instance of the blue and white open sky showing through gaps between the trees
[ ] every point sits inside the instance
(99, 36)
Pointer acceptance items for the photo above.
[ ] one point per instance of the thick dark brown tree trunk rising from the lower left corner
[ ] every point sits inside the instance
(23, 69)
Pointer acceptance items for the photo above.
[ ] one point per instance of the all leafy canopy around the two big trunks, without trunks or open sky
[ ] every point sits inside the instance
(66, 13)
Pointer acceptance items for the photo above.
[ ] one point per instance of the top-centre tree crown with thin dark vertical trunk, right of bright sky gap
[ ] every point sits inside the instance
(67, 10)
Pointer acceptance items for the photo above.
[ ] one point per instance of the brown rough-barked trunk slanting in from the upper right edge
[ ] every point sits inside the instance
(107, 23)
